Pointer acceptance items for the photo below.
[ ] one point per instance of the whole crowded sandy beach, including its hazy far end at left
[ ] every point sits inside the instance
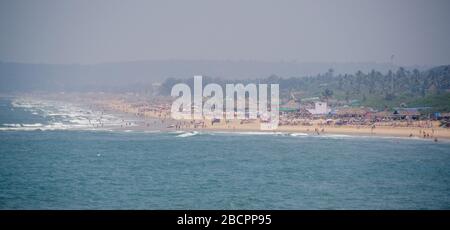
(147, 115)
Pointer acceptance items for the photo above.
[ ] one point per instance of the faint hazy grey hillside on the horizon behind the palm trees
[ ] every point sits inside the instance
(138, 76)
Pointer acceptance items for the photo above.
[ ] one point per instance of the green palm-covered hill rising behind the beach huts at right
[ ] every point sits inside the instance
(430, 88)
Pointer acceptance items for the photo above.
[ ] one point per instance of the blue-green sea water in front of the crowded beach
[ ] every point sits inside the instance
(89, 169)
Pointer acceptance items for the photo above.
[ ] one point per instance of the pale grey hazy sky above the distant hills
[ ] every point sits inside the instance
(38, 31)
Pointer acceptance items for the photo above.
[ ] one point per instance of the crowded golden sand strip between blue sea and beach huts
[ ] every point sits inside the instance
(161, 116)
